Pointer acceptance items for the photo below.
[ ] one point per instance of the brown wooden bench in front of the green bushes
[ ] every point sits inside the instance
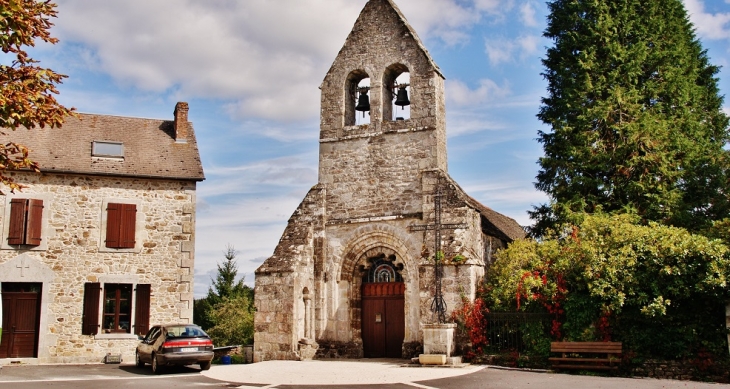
(586, 355)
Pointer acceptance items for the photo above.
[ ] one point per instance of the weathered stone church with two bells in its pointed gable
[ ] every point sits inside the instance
(354, 272)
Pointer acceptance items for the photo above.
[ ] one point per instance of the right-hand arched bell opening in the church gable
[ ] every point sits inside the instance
(397, 93)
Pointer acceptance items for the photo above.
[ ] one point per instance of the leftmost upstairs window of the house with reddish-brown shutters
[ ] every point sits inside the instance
(26, 216)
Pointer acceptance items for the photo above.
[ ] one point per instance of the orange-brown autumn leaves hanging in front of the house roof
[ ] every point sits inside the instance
(27, 90)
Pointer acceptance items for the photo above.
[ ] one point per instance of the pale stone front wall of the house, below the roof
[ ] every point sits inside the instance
(74, 253)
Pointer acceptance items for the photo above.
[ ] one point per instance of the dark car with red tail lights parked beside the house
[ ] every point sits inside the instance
(175, 344)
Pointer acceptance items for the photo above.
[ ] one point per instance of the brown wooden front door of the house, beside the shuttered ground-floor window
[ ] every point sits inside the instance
(21, 318)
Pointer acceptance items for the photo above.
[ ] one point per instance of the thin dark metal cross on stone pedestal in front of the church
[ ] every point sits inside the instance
(438, 305)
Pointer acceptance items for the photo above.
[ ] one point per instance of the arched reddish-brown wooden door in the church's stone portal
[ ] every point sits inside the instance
(383, 311)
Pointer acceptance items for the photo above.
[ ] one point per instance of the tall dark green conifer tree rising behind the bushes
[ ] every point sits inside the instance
(635, 115)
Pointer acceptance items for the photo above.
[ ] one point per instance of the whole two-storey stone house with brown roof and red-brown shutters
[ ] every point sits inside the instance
(100, 245)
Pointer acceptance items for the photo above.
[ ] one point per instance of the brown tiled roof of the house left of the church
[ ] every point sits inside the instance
(149, 145)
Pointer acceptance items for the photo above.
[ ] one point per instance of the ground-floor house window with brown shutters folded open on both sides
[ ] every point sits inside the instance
(119, 301)
